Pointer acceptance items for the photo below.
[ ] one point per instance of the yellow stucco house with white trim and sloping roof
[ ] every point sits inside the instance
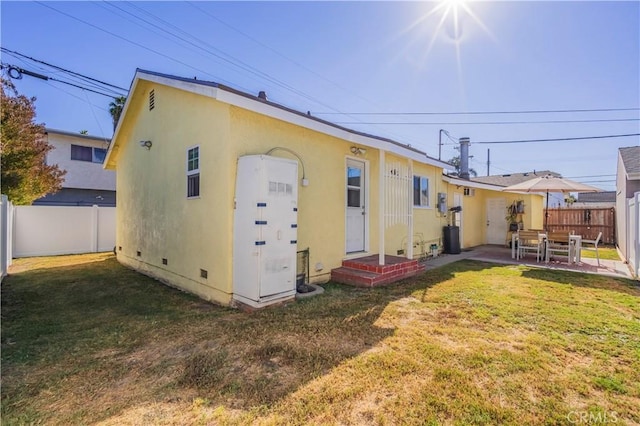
(217, 190)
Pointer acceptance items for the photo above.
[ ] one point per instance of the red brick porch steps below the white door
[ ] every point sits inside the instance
(365, 272)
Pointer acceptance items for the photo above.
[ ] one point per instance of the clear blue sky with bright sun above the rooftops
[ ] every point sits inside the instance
(340, 60)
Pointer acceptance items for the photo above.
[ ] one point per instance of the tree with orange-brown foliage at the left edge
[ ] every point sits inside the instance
(24, 171)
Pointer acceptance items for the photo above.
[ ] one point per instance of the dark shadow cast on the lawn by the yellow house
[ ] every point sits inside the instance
(90, 341)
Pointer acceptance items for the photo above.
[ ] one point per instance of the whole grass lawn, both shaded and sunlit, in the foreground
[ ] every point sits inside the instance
(85, 340)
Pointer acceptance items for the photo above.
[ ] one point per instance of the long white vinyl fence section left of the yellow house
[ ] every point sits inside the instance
(53, 230)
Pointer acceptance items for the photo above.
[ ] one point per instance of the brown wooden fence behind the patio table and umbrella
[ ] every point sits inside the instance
(584, 221)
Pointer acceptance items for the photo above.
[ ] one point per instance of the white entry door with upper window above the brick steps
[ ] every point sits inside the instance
(356, 209)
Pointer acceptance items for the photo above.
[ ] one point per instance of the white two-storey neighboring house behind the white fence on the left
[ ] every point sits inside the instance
(86, 183)
